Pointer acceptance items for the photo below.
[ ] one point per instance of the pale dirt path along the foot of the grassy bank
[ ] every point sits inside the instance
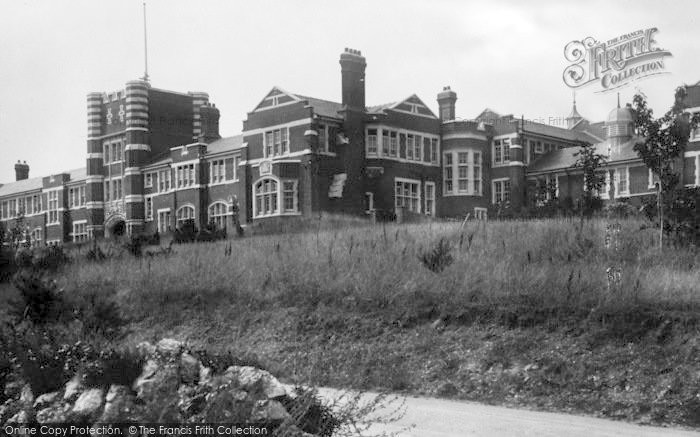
(442, 418)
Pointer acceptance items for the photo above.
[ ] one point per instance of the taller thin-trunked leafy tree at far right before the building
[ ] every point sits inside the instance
(664, 142)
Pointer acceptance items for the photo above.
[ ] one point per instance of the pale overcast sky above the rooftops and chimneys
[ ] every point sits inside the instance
(501, 54)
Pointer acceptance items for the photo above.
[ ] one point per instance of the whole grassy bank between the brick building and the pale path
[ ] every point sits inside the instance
(522, 314)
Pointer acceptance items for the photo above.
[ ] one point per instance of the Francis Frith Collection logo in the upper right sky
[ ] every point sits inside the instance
(616, 62)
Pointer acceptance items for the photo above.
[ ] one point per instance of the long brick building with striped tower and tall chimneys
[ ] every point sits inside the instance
(155, 159)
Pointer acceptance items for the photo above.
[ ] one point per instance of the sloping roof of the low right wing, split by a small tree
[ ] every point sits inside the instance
(564, 158)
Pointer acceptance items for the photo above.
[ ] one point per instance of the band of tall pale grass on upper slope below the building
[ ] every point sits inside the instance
(514, 272)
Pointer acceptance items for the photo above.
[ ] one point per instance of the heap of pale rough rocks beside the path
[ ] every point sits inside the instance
(173, 386)
